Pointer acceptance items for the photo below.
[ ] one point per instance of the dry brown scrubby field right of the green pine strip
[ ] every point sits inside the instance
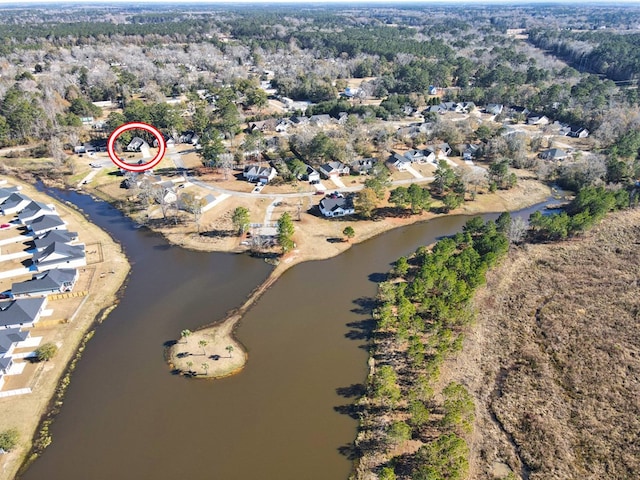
(554, 360)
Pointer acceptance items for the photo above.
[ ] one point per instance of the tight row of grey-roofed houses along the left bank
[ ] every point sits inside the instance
(39, 258)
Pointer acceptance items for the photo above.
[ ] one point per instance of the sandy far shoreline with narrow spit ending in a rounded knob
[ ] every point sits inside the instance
(313, 239)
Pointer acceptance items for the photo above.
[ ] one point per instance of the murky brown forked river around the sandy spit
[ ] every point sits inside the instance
(284, 417)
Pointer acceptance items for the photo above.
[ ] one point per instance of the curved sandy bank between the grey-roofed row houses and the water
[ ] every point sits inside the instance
(69, 324)
